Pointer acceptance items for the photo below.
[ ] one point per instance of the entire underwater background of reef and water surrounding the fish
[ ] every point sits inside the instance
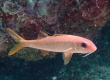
(86, 18)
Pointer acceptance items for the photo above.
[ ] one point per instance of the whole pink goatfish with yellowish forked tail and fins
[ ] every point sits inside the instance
(68, 44)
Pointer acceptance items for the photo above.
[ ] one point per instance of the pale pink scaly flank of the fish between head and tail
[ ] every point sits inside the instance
(56, 44)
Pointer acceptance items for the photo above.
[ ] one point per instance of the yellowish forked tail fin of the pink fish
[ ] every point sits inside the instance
(18, 39)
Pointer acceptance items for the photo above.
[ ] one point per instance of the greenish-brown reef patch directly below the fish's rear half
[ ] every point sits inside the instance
(30, 54)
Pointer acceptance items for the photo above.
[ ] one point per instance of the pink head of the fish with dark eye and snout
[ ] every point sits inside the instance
(85, 46)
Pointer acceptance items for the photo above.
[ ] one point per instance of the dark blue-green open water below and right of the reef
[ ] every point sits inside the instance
(96, 66)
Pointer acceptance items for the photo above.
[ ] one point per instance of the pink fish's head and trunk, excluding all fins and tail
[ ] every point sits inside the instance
(63, 43)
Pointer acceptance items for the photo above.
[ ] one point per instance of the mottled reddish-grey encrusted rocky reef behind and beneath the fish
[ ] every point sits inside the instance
(28, 17)
